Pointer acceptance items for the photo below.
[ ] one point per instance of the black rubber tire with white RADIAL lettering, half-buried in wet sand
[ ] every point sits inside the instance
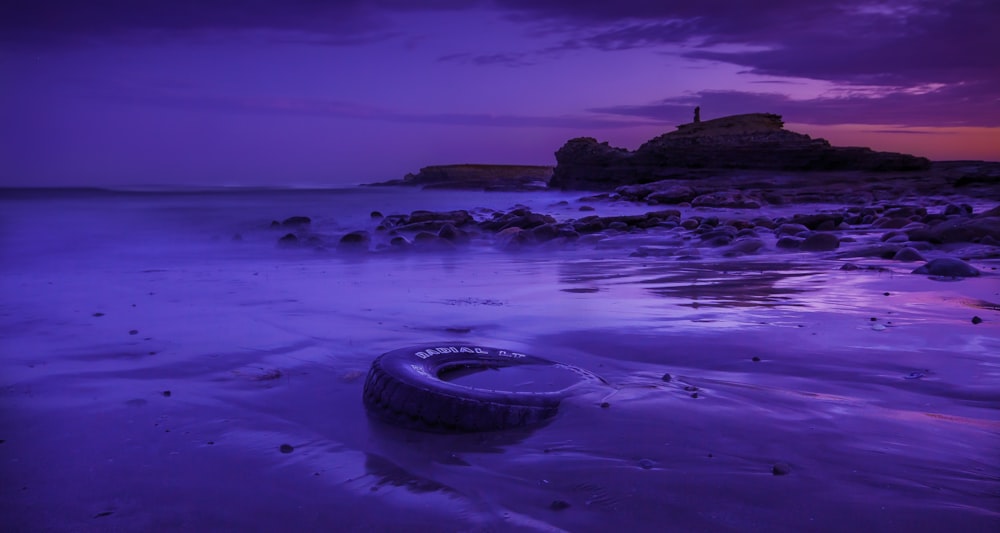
(405, 388)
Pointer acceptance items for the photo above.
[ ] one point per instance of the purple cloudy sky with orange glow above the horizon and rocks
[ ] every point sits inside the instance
(299, 92)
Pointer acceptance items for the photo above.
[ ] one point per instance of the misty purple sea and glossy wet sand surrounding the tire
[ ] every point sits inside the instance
(166, 366)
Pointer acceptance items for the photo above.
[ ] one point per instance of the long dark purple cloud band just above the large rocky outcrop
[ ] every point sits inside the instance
(960, 105)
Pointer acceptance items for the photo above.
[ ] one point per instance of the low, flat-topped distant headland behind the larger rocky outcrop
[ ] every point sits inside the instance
(488, 177)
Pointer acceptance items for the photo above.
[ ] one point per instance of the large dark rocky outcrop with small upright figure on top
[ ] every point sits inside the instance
(752, 141)
